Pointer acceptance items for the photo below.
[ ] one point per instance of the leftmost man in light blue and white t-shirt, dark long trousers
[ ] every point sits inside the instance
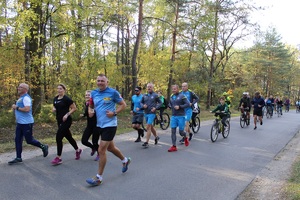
(24, 119)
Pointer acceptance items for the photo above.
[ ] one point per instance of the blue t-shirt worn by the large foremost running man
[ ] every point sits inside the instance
(105, 100)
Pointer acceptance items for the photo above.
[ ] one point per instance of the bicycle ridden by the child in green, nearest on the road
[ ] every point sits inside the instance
(218, 127)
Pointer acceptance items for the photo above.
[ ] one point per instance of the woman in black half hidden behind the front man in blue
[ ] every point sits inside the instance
(90, 128)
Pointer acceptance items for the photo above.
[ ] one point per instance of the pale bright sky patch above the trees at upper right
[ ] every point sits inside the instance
(283, 15)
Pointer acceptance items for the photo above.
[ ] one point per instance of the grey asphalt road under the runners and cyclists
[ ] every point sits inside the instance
(204, 170)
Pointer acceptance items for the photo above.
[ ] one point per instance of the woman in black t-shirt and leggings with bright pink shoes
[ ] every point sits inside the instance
(62, 105)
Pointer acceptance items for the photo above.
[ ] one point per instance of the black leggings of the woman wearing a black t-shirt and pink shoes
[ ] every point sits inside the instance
(64, 131)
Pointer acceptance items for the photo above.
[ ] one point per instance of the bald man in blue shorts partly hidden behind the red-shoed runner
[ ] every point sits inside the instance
(193, 98)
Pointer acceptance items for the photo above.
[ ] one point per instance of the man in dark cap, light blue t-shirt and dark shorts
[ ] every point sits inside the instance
(137, 113)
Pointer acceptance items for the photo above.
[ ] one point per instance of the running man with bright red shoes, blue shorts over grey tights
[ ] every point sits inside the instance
(178, 103)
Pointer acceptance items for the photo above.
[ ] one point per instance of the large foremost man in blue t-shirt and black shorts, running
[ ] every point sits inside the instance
(103, 102)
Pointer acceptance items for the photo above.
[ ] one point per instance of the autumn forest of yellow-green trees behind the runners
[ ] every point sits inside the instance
(47, 42)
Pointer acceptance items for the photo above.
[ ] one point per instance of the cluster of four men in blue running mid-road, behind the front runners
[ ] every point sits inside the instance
(146, 105)
